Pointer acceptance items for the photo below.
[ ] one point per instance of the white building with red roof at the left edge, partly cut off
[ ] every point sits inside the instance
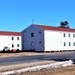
(12, 40)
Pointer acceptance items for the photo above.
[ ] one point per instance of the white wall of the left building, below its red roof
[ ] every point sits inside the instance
(6, 40)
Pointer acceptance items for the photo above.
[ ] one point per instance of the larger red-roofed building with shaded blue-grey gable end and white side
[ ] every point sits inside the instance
(48, 38)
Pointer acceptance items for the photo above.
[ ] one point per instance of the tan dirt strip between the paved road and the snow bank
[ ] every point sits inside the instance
(24, 65)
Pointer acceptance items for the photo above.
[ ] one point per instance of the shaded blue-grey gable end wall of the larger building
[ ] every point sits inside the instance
(33, 43)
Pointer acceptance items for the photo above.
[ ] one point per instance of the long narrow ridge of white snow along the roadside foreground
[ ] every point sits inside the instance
(39, 67)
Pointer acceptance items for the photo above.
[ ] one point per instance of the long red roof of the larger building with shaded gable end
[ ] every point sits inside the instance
(54, 28)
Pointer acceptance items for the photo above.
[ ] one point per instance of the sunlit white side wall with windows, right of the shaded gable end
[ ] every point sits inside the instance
(54, 40)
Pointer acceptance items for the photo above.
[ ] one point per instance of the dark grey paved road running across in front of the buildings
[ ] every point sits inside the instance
(35, 58)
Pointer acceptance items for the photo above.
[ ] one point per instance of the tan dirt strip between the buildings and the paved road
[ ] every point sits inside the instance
(3, 55)
